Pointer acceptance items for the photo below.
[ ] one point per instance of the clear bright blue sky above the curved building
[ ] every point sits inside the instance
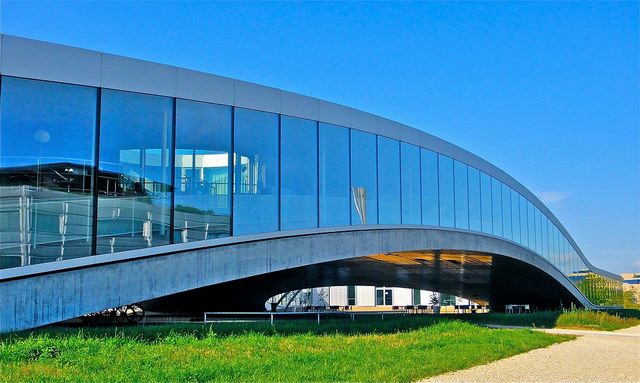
(549, 92)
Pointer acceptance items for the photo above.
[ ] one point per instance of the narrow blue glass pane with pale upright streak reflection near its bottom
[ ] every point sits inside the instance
(364, 180)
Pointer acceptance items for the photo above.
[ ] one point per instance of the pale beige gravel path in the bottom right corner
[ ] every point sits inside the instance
(596, 356)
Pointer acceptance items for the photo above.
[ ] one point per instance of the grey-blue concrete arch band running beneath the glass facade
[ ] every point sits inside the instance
(143, 275)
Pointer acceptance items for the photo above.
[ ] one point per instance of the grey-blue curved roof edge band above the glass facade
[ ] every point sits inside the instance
(34, 59)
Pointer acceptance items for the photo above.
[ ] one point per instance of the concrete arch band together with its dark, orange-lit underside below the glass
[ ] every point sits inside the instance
(243, 274)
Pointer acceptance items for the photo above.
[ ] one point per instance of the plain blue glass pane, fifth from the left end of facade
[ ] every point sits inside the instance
(299, 163)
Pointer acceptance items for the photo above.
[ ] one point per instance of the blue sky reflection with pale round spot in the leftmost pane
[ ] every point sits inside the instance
(46, 122)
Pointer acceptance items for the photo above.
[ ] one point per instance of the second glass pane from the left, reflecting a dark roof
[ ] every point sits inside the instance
(135, 171)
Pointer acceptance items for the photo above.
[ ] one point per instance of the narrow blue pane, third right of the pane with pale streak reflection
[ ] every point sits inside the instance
(429, 180)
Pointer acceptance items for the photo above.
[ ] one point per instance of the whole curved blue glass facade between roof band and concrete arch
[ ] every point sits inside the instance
(88, 171)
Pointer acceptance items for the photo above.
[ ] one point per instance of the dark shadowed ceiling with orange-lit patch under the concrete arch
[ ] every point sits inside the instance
(483, 278)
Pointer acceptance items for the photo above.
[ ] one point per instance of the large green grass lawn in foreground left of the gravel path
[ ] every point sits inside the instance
(293, 351)
